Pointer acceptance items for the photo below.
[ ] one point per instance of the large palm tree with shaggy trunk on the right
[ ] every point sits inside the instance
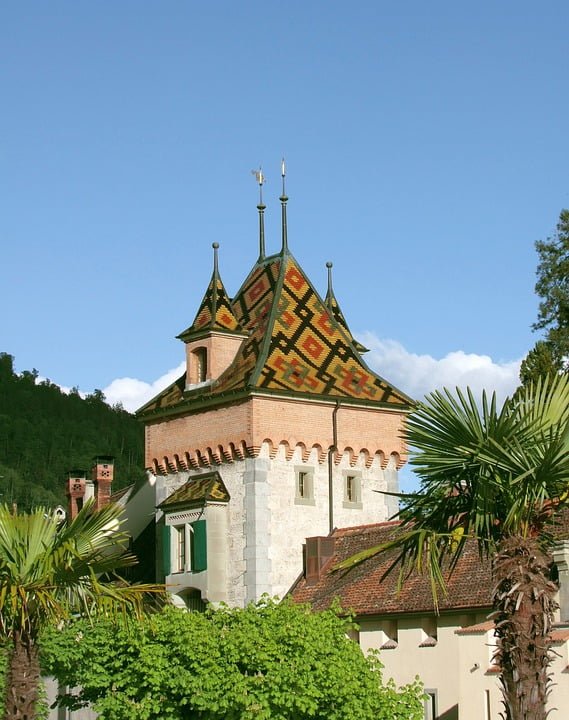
(497, 477)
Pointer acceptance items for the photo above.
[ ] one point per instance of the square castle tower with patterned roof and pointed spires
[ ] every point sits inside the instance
(299, 432)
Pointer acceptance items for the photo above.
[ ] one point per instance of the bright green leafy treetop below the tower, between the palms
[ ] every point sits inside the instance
(264, 661)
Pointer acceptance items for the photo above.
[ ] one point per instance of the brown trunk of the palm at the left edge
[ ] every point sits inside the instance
(22, 681)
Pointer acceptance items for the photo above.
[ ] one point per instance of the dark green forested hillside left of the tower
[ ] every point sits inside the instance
(44, 433)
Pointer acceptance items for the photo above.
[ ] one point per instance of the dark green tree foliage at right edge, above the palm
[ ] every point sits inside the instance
(553, 288)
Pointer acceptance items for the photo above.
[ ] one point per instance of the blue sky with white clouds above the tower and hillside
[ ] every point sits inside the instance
(426, 148)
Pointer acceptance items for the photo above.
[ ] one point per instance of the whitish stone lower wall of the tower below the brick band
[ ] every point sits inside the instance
(268, 523)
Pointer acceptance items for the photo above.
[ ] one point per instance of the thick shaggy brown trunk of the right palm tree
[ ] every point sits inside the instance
(523, 612)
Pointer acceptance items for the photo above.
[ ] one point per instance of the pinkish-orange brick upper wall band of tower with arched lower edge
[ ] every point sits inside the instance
(233, 431)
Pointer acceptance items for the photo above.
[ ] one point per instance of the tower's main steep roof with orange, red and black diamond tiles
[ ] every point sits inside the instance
(295, 343)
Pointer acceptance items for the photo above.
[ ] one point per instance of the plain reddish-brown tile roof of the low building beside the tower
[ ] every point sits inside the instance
(364, 590)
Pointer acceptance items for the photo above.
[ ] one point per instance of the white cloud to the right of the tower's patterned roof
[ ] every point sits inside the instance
(418, 375)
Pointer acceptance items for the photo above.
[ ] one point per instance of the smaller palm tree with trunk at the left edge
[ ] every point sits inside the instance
(49, 571)
